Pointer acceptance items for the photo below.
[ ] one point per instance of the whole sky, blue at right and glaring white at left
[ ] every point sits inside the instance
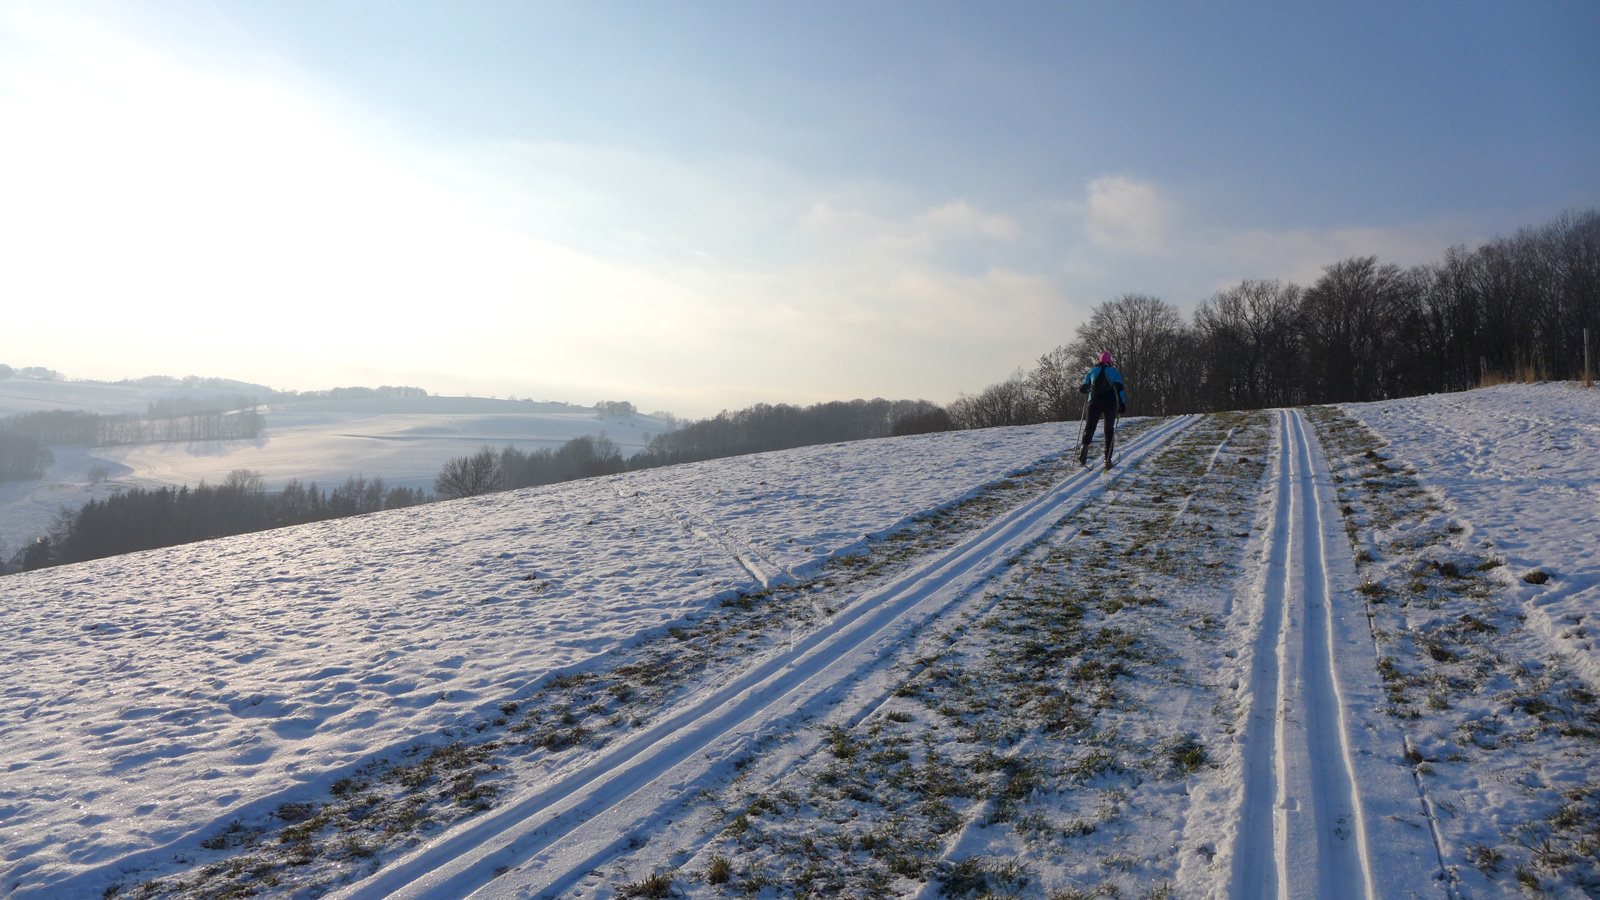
(703, 206)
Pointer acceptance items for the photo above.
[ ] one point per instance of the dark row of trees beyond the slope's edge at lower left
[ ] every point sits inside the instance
(148, 520)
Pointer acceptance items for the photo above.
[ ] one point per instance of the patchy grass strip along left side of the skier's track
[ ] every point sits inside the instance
(386, 808)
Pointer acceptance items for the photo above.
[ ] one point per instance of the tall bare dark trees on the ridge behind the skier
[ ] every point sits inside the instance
(1513, 310)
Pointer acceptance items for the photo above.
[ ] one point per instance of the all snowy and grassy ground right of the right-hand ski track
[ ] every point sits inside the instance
(1484, 592)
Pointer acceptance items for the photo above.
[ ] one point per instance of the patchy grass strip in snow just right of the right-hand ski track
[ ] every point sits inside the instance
(1497, 721)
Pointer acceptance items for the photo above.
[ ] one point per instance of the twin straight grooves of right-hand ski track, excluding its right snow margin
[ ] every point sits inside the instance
(1302, 834)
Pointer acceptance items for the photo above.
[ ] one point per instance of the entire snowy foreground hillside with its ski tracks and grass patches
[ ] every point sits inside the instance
(1270, 654)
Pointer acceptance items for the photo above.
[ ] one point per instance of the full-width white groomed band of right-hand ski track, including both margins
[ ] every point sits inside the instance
(1327, 811)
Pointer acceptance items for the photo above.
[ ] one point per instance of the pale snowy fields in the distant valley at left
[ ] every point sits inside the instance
(406, 443)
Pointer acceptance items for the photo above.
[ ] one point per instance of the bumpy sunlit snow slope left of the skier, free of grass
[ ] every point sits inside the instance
(151, 694)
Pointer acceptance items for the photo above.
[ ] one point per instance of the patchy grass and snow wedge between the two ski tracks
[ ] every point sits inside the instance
(1033, 747)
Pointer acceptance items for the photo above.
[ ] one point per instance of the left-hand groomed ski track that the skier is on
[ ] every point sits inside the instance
(545, 843)
